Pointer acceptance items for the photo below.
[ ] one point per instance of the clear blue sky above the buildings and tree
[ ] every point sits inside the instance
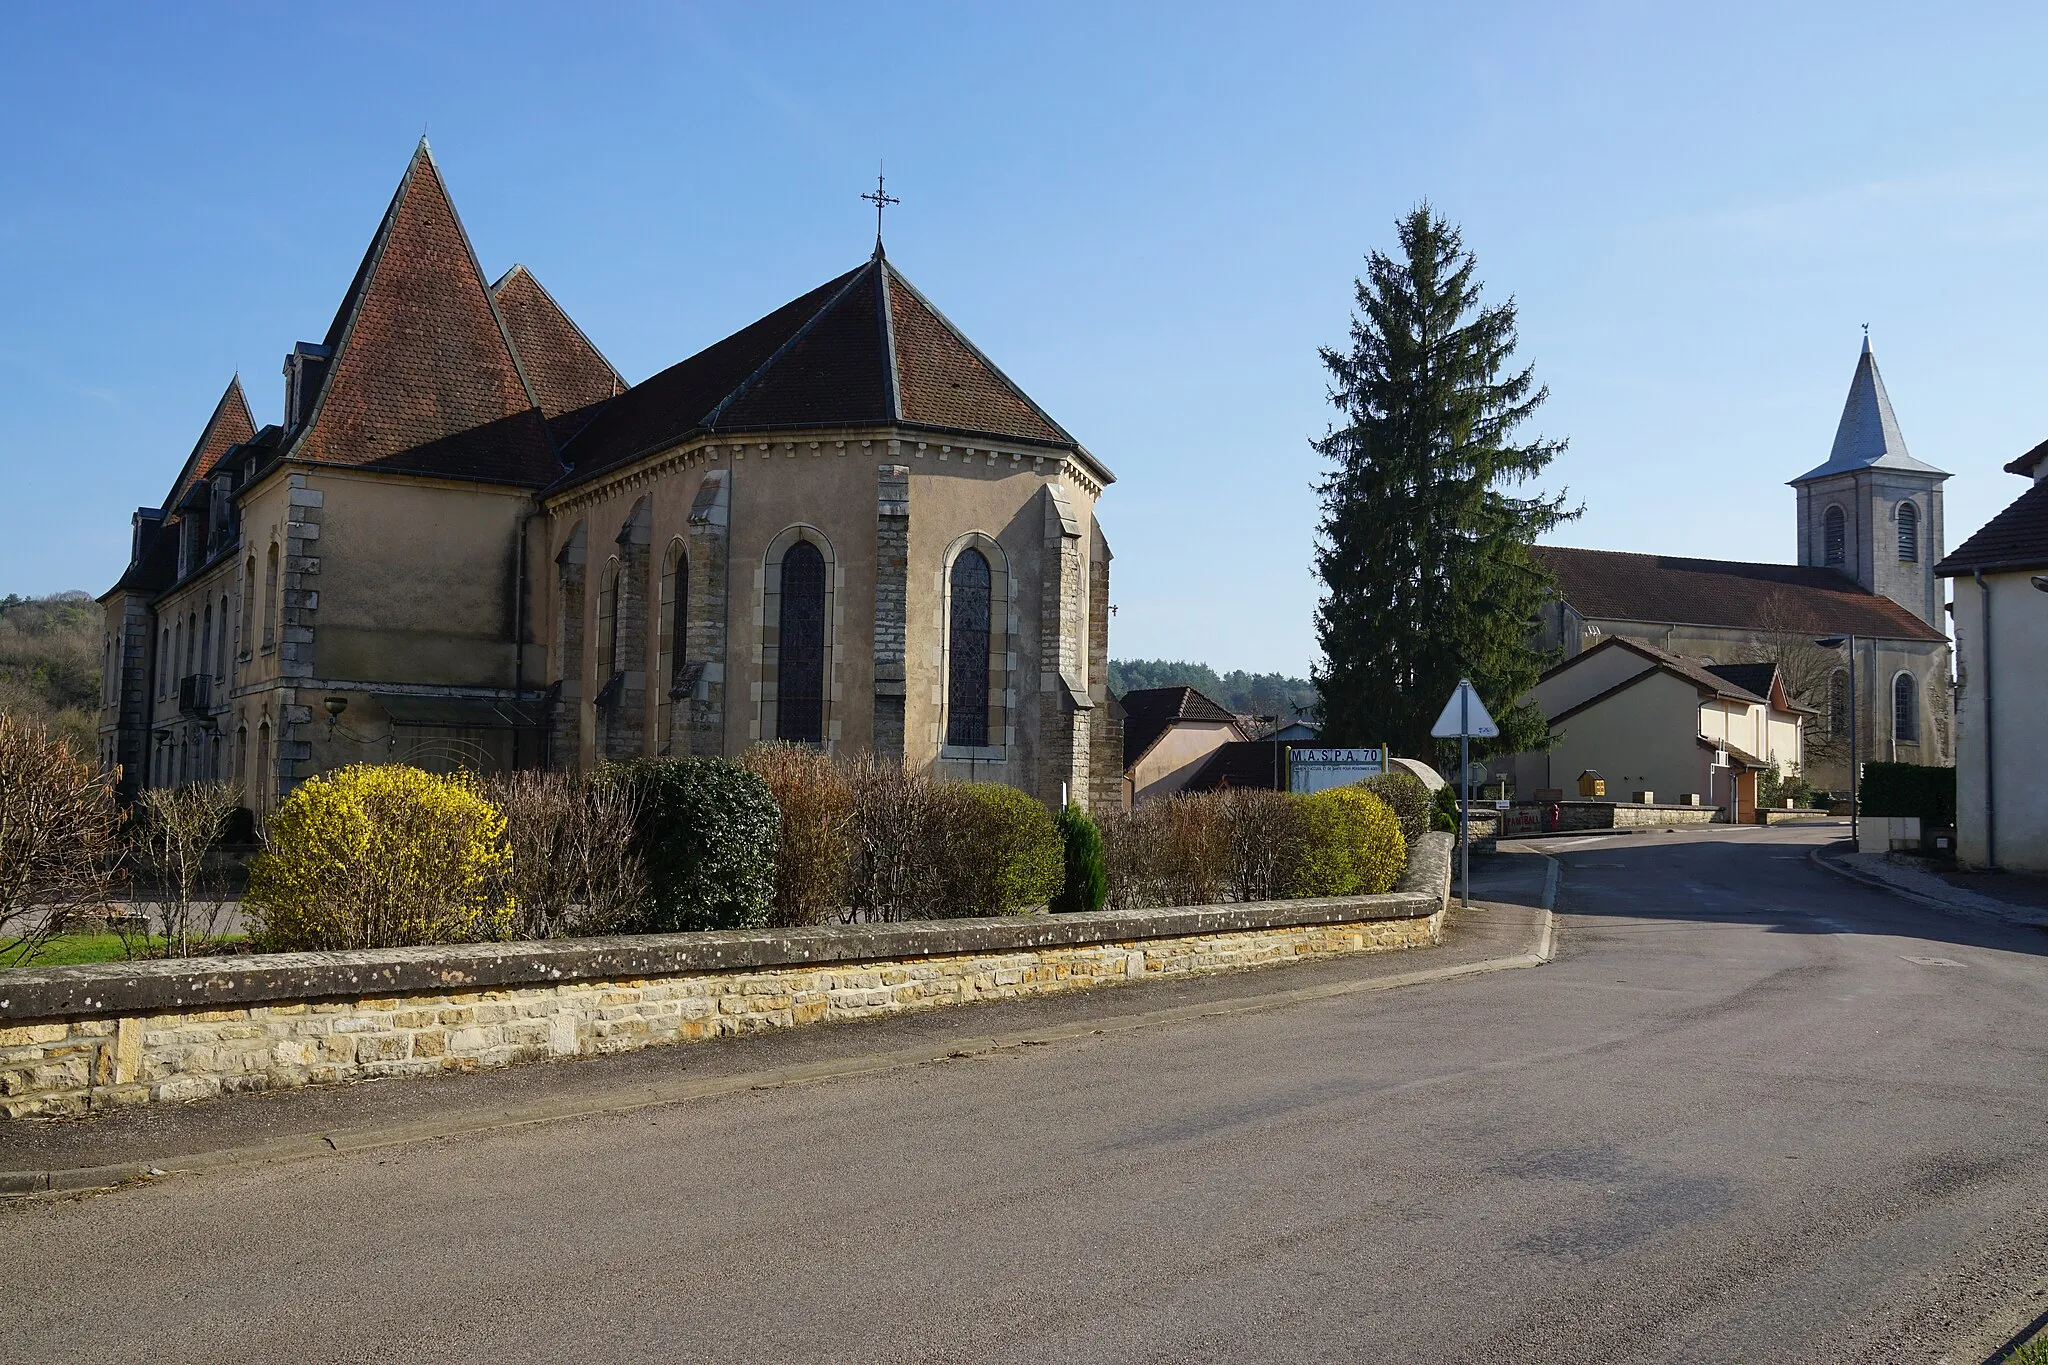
(1150, 216)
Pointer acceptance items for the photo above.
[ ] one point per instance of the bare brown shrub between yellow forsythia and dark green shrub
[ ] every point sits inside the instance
(574, 867)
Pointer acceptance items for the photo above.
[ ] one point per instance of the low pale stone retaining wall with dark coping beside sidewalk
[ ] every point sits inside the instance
(83, 1039)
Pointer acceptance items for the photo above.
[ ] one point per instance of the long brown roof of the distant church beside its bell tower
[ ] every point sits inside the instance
(1719, 592)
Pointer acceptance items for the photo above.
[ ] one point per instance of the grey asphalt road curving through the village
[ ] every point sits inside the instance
(1750, 1114)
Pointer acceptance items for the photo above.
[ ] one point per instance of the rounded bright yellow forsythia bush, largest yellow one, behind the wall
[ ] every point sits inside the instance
(382, 856)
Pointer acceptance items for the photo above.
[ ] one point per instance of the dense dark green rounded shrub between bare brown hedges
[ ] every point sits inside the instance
(708, 838)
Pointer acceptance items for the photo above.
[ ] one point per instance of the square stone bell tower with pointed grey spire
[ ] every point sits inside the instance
(1873, 511)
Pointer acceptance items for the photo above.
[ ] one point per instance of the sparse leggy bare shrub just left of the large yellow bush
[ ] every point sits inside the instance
(175, 838)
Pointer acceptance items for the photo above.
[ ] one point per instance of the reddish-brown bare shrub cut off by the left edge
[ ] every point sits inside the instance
(60, 836)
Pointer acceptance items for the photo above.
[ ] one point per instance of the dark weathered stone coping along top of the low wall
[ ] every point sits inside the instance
(257, 979)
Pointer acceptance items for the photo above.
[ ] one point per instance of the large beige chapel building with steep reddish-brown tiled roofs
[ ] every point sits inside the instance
(470, 541)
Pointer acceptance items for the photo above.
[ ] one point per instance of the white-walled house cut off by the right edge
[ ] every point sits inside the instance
(2002, 644)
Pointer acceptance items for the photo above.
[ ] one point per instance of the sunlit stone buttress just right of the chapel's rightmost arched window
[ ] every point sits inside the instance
(1064, 705)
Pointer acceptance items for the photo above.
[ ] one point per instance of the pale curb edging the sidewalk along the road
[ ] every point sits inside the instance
(85, 1180)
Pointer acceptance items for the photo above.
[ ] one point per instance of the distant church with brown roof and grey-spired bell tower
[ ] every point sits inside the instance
(1869, 541)
